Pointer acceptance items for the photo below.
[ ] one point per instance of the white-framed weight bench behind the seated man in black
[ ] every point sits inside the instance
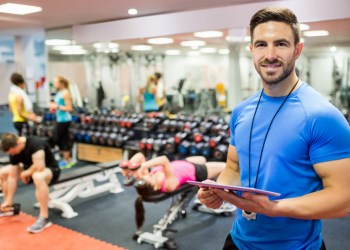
(83, 182)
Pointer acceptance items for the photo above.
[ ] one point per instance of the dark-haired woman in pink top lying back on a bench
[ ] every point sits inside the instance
(162, 176)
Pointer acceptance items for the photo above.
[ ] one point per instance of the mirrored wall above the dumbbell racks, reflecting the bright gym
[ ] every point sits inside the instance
(192, 70)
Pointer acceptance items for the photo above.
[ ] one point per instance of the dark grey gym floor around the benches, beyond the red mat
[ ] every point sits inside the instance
(110, 217)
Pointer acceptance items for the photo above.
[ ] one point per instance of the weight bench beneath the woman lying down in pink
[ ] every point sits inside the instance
(180, 200)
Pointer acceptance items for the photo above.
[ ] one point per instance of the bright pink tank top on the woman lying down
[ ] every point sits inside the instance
(183, 170)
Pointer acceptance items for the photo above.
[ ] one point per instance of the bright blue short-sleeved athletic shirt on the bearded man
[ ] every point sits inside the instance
(307, 130)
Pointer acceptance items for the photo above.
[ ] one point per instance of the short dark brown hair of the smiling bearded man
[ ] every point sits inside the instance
(276, 14)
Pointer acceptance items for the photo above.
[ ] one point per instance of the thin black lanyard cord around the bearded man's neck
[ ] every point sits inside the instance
(268, 129)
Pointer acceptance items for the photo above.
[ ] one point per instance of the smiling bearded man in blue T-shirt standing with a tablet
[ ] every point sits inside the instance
(286, 138)
